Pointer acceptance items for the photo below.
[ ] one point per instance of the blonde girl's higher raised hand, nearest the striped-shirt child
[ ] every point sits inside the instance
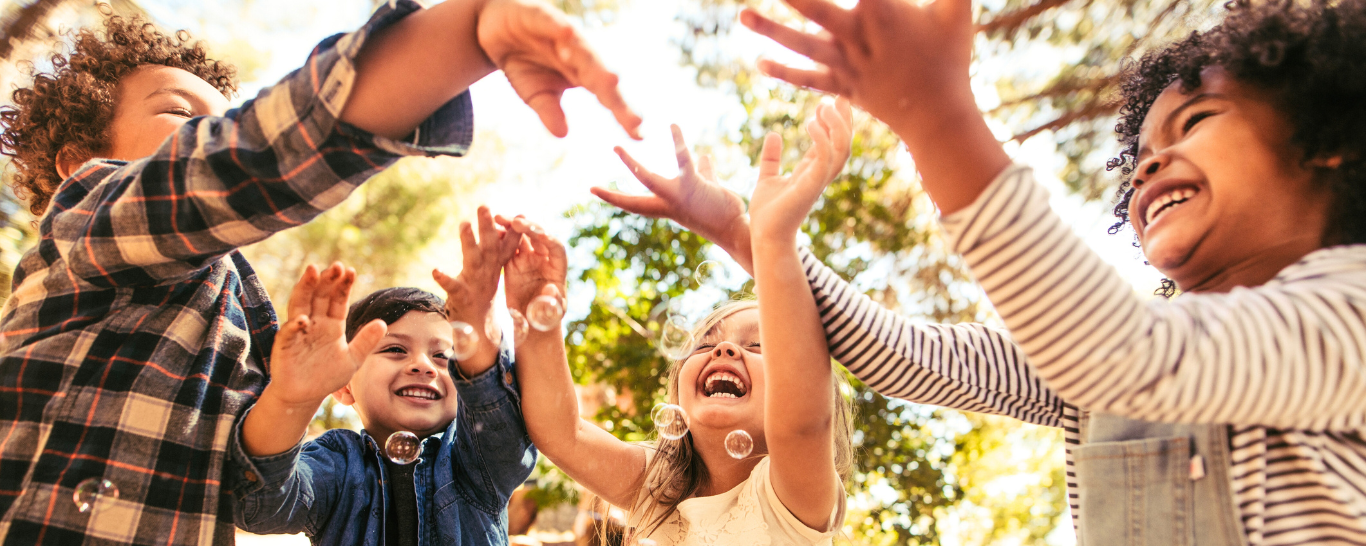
(782, 204)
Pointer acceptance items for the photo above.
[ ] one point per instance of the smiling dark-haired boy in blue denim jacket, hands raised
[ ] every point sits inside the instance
(393, 364)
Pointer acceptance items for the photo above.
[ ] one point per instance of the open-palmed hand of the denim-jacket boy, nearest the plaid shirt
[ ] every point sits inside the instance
(311, 357)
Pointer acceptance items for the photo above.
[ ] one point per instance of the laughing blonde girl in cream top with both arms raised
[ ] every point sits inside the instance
(762, 369)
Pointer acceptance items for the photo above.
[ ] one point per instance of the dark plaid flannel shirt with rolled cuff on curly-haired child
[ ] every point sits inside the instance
(137, 334)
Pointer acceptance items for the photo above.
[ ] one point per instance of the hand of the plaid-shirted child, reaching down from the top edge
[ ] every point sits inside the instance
(543, 57)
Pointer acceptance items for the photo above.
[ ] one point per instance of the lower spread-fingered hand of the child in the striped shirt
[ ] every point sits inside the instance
(693, 199)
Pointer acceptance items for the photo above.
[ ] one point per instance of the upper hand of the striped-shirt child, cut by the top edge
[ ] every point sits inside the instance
(890, 58)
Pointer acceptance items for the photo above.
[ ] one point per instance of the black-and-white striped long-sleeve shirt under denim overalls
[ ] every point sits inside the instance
(1281, 364)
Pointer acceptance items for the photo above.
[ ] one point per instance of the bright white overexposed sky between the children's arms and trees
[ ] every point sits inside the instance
(543, 175)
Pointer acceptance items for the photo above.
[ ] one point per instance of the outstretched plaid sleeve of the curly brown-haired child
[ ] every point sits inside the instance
(221, 184)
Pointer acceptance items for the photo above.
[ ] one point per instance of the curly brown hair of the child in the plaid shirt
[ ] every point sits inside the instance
(72, 109)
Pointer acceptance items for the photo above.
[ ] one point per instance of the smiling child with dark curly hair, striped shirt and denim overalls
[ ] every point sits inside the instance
(1229, 416)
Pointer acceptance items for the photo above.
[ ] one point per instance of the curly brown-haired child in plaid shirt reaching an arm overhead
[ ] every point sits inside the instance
(137, 334)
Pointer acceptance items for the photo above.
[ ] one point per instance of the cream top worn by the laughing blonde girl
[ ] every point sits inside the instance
(751, 514)
